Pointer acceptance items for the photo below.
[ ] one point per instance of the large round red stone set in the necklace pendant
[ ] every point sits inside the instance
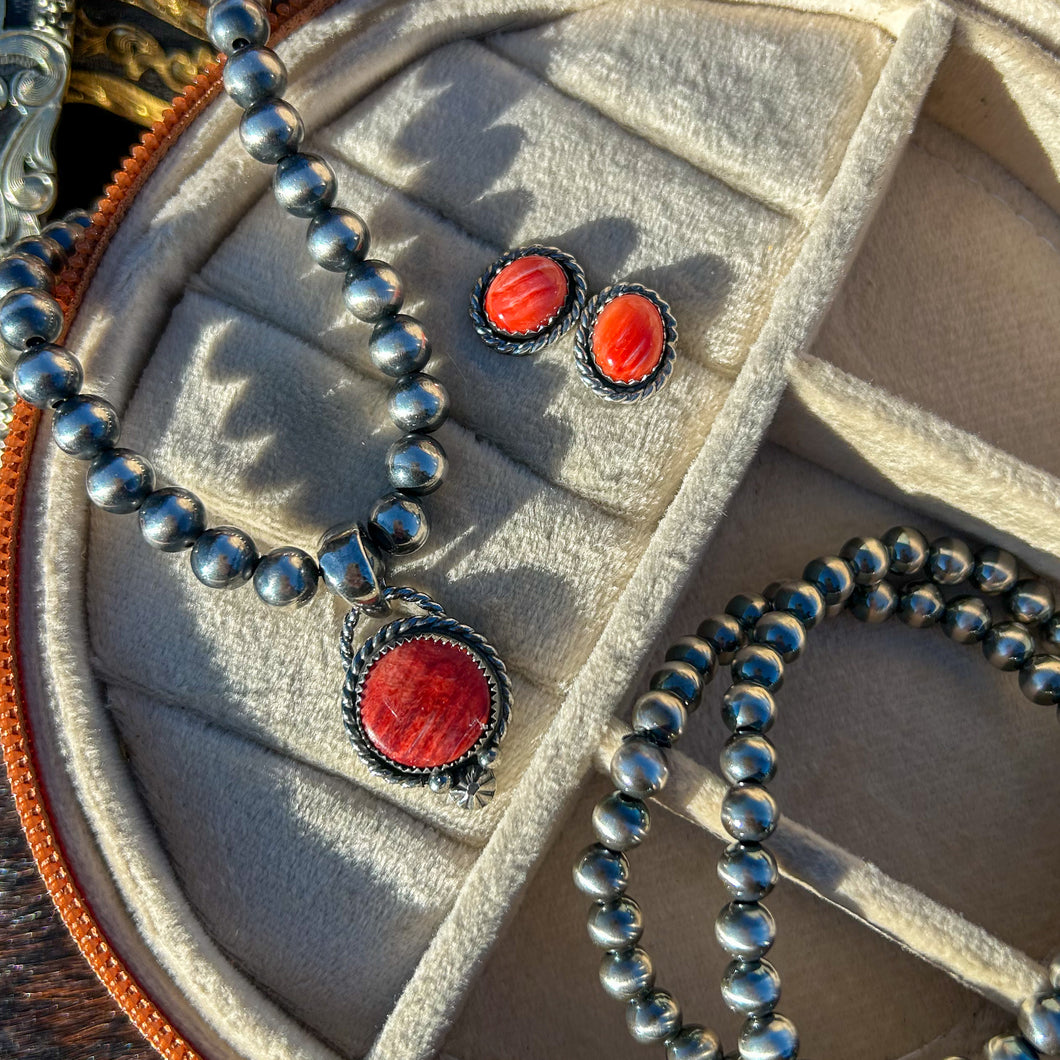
(425, 703)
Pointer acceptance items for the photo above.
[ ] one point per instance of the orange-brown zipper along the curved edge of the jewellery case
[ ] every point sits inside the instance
(15, 737)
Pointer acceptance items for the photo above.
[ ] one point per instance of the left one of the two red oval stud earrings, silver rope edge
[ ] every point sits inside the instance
(527, 299)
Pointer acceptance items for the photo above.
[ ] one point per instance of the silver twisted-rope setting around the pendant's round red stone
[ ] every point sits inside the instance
(469, 779)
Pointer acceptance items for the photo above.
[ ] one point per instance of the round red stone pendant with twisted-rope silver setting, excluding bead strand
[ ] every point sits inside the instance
(427, 701)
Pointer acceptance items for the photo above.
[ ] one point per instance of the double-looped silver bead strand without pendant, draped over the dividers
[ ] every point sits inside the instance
(757, 638)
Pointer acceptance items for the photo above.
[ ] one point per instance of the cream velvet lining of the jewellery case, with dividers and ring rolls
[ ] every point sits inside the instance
(274, 899)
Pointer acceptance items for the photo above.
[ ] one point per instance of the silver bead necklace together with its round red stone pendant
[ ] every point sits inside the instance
(427, 700)
